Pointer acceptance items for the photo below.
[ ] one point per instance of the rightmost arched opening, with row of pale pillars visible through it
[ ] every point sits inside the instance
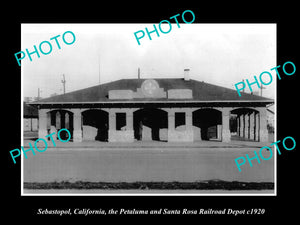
(244, 124)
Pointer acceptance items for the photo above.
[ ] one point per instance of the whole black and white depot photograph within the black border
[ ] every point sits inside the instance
(109, 115)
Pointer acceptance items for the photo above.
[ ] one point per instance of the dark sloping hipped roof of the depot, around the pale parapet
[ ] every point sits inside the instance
(201, 92)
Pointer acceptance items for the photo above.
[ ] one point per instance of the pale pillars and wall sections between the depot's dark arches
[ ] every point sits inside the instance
(254, 125)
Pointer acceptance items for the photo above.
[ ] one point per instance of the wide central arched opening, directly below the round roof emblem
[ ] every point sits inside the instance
(150, 124)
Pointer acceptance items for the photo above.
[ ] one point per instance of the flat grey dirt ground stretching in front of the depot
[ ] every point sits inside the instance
(144, 164)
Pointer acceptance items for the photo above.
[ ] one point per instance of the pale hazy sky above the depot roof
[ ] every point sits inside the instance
(220, 54)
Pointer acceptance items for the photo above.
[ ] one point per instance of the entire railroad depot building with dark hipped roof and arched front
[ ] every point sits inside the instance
(170, 110)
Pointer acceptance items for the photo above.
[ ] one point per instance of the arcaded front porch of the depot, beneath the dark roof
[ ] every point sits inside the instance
(164, 122)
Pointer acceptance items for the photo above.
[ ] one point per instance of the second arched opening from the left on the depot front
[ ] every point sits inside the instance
(95, 125)
